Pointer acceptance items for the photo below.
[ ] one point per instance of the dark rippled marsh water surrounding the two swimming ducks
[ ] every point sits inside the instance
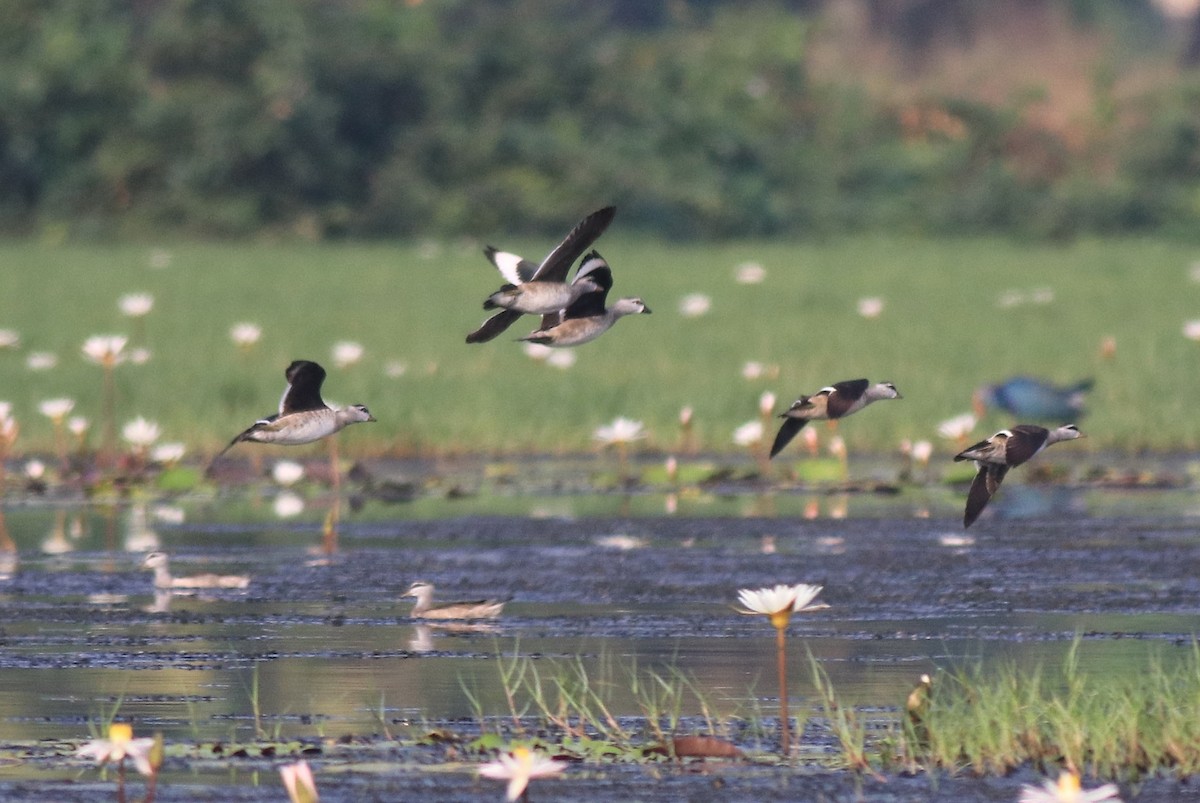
(327, 651)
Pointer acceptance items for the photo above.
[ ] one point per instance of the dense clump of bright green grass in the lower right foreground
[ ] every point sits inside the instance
(992, 721)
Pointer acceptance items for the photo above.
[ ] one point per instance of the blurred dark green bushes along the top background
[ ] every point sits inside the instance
(322, 118)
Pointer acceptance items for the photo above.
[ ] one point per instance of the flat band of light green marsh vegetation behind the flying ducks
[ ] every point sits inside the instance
(934, 291)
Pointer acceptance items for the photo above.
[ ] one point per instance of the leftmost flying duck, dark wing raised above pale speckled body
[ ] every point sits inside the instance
(304, 417)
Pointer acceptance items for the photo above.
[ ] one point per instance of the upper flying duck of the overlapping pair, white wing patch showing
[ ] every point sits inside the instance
(541, 290)
